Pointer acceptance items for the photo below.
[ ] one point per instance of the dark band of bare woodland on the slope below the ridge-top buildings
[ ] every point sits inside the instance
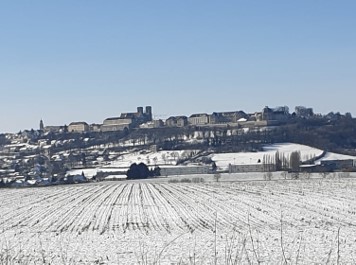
(338, 136)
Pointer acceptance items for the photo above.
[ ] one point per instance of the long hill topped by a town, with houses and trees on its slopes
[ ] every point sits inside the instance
(49, 153)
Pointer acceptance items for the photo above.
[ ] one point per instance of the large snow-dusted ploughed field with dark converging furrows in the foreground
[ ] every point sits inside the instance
(153, 222)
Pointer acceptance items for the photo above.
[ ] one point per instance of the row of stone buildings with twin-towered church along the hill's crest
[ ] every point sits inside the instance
(143, 118)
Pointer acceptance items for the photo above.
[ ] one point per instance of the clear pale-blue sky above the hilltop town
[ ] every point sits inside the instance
(87, 60)
